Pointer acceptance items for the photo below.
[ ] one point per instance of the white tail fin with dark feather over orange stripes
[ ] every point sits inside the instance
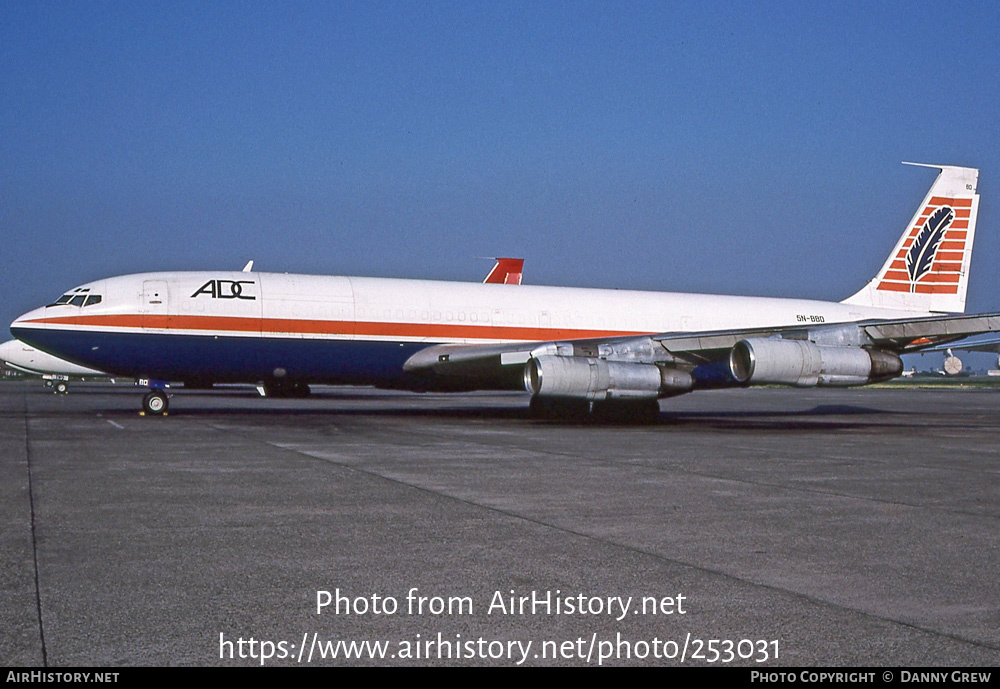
(928, 271)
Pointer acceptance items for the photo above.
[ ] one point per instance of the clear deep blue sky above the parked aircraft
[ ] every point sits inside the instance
(748, 147)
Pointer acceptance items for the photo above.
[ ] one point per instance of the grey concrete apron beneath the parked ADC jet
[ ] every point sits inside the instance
(793, 527)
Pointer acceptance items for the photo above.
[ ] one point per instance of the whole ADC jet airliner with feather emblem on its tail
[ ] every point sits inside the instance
(572, 349)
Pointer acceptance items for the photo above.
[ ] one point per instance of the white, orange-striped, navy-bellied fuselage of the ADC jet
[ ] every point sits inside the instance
(234, 326)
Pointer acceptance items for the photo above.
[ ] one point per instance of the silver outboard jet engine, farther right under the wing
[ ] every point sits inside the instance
(766, 361)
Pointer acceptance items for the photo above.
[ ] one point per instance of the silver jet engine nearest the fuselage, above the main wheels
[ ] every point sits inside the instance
(597, 379)
